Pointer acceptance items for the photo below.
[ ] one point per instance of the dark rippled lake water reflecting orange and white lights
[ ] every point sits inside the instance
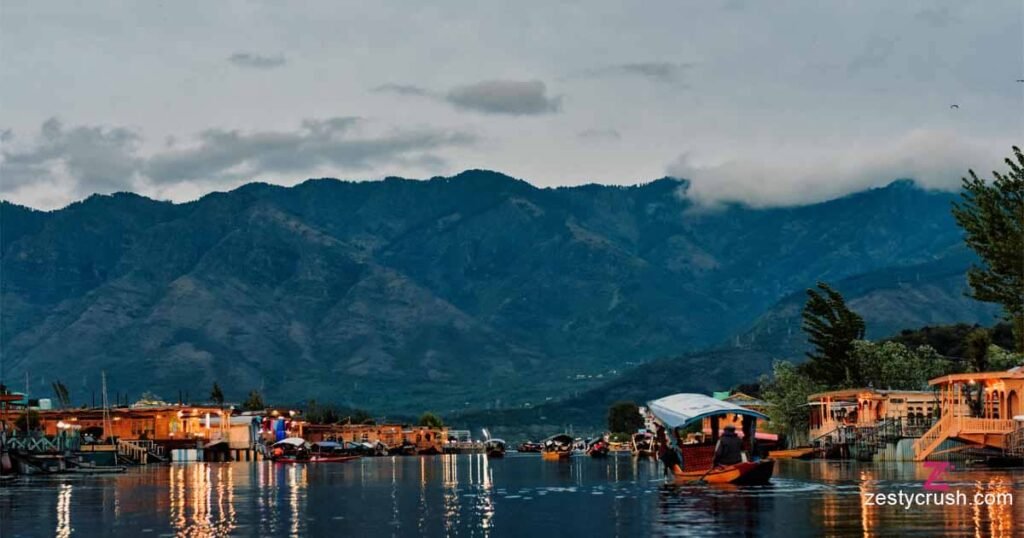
(468, 495)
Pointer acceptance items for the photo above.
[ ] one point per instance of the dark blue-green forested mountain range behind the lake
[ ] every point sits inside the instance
(478, 291)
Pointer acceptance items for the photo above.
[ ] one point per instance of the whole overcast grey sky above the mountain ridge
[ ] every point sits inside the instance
(767, 103)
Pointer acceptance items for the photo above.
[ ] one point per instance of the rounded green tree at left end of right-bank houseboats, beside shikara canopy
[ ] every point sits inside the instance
(787, 390)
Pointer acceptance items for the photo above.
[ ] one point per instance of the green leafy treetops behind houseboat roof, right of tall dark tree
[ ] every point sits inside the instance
(894, 366)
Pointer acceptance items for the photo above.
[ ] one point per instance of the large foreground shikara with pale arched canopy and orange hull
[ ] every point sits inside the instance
(678, 411)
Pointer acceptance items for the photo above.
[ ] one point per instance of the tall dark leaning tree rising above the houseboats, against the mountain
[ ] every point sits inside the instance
(831, 328)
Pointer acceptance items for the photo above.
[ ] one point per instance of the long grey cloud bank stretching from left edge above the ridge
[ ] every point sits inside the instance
(99, 159)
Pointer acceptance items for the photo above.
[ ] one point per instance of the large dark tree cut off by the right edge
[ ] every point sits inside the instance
(993, 219)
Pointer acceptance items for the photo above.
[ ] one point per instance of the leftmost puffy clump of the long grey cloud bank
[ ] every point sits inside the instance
(101, 159)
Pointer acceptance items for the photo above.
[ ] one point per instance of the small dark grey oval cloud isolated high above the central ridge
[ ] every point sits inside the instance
(504, 97)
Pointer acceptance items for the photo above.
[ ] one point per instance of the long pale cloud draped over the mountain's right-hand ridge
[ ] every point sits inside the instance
(934, 159)
